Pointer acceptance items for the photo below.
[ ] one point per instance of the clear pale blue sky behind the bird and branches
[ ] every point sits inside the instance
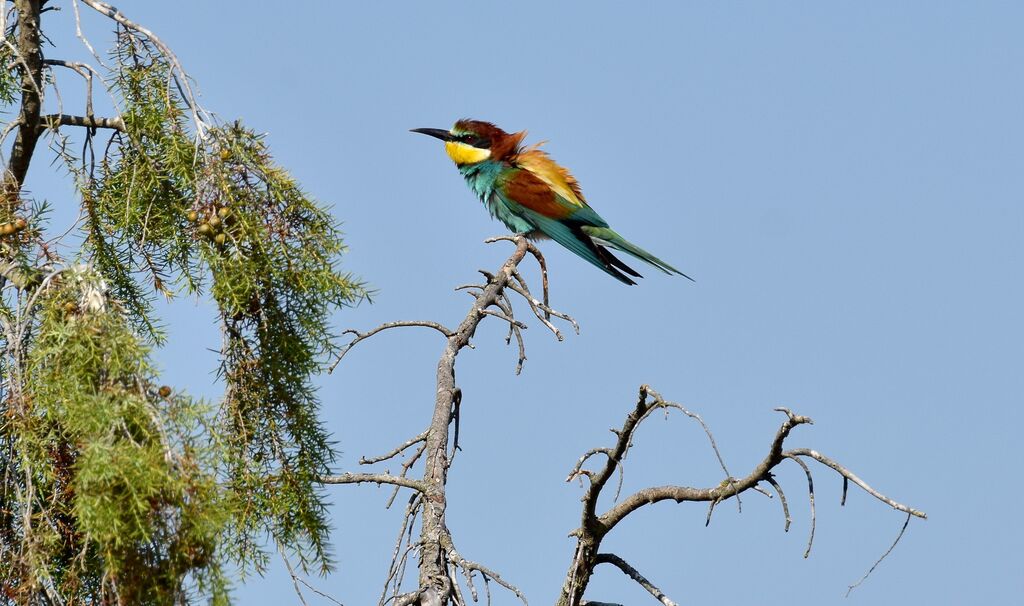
(843, 181)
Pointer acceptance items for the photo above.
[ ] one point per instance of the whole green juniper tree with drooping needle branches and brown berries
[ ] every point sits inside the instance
(114, 487)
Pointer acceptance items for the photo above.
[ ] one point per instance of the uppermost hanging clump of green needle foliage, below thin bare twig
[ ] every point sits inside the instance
(137, 205)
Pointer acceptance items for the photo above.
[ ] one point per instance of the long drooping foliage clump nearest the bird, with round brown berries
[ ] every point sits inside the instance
(272, 252)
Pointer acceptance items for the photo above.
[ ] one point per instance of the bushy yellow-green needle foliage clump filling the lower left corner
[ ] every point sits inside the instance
(120, 479)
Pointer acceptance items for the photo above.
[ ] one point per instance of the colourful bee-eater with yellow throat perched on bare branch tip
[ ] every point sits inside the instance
(527, 191)
